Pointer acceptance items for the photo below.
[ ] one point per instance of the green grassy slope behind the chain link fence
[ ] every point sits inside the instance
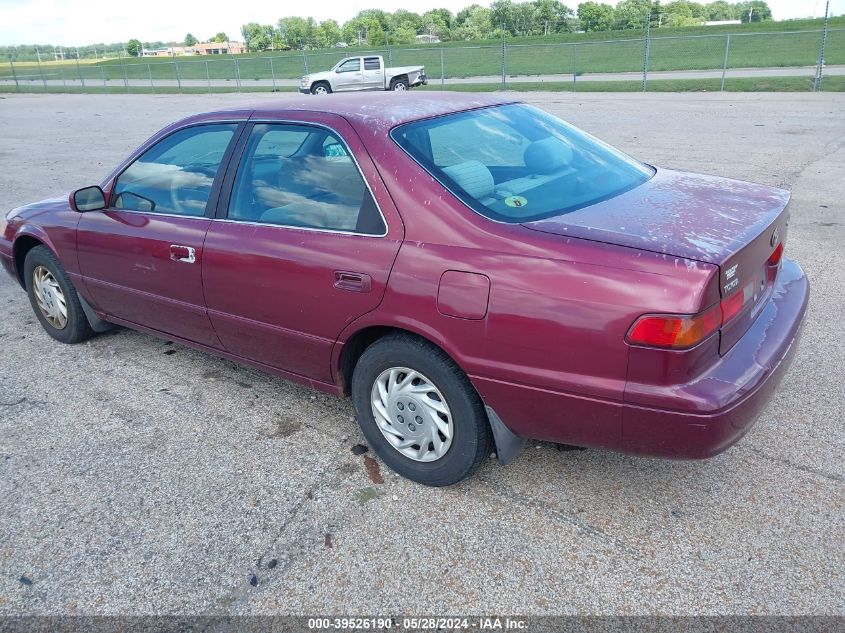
(700, 48)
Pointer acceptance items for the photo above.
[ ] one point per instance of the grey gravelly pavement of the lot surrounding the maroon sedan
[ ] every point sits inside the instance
(134, 480)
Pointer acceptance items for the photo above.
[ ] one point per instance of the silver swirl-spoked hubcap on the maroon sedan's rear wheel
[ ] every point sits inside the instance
(412, 414)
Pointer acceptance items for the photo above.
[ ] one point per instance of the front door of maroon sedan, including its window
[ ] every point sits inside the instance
(141, 257)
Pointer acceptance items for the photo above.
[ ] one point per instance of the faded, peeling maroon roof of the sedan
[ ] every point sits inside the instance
(377, 109)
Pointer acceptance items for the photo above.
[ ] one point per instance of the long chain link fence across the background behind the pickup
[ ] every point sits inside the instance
(797, 60)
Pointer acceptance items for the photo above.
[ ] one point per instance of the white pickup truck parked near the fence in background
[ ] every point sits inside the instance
(362, 73)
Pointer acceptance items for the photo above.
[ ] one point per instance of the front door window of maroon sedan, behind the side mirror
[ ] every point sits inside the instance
(176, 174)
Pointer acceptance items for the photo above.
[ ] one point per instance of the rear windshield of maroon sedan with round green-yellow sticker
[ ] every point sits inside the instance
(515, 163)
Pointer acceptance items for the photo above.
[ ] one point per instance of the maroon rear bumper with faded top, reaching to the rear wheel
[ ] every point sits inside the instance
(708, 415)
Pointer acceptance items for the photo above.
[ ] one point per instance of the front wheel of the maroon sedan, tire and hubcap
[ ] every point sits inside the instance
(52, 289)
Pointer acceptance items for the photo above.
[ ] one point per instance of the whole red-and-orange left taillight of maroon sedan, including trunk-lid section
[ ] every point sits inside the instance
(681, 331)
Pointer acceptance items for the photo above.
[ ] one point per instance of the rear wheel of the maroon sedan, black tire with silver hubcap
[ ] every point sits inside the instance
(470, 439)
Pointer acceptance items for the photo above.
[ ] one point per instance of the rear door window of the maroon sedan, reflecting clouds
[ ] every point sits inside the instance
(302, 176)
